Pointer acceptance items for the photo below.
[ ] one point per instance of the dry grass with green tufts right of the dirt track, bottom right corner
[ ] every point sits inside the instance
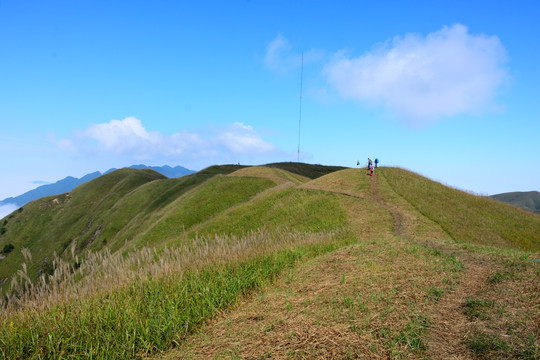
(504, 314)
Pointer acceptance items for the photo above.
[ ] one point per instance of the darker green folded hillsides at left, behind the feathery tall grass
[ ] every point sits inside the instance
(105, 212)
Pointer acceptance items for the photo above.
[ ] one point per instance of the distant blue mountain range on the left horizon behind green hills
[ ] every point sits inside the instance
(69, 183)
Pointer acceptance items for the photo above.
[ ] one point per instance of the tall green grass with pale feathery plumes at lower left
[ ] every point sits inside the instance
(128, 307)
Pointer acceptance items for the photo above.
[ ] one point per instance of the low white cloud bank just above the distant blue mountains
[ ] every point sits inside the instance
(129, 137)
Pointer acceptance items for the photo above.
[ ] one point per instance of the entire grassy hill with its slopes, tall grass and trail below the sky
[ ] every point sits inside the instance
(280, 261)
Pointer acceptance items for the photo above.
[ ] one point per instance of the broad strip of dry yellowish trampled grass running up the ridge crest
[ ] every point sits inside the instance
(401, 291)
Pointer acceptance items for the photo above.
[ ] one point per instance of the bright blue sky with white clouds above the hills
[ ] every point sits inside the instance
(448, 89)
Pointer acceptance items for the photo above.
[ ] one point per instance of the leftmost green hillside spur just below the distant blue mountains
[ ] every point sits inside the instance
(49, 225)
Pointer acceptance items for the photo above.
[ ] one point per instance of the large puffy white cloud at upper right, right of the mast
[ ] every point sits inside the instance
(420, 79)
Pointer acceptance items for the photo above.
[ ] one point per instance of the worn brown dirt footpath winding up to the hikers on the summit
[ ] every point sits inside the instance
(448, 323)
